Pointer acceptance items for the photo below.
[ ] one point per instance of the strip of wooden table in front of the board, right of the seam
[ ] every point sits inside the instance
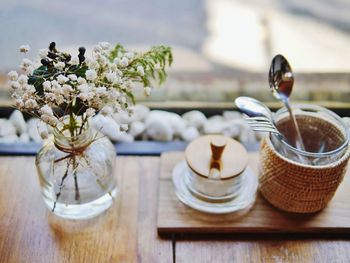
(278, 251)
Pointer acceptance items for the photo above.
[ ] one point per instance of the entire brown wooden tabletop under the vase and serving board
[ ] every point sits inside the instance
(127, 232)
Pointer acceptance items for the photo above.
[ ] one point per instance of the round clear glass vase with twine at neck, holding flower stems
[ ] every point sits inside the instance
(76, 174)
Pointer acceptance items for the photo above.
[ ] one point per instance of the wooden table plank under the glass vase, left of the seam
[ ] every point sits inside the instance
(30, 233)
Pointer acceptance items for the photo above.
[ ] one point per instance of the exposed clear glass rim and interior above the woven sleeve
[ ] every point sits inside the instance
(324, 134)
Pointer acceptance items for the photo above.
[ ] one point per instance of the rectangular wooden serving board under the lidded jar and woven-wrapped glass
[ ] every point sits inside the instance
(175, 217)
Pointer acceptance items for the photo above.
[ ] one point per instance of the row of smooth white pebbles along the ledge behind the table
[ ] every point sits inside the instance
(158, 125)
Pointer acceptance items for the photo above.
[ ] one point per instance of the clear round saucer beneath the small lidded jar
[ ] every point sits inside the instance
(244, 199)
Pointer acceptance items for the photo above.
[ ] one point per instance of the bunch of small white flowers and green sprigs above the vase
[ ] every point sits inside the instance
(79, 87)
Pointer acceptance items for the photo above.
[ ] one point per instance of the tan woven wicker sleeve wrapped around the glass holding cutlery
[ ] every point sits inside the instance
(295, 187)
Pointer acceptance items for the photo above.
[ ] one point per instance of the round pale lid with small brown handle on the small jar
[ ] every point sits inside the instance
(216, 156)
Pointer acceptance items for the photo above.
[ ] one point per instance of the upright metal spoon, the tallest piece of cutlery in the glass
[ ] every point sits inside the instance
(281, 80)
